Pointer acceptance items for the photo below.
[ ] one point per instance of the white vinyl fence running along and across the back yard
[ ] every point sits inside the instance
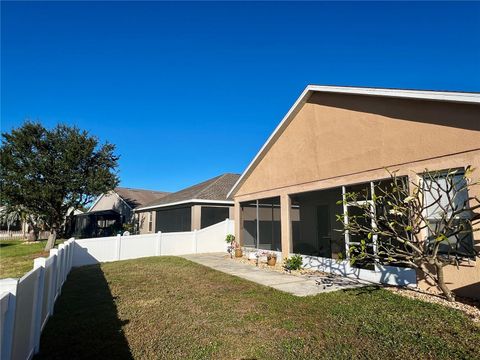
(27, 303)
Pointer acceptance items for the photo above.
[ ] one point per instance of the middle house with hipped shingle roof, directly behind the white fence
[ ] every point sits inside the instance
(189, 209)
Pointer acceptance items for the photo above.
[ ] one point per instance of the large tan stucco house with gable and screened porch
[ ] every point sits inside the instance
(338, 139)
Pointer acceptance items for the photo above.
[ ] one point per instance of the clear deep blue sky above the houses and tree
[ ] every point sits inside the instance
(188, 91)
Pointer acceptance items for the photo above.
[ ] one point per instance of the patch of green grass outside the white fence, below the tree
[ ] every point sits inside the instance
(16, 257)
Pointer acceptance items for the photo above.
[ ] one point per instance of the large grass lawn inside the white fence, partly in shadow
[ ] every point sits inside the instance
(170, 308)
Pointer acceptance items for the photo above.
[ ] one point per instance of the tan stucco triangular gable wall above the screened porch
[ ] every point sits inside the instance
(339, 135)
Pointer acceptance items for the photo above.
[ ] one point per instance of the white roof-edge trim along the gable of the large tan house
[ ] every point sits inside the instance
(463, 97)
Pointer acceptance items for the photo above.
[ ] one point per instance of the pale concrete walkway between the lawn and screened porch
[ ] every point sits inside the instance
(296, 285)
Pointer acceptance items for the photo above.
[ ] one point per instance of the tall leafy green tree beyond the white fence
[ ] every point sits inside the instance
(49, 172)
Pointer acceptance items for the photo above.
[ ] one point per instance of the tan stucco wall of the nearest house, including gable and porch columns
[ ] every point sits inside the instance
(337, 140)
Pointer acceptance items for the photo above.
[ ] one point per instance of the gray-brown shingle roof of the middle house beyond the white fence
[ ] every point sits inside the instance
(213, 189)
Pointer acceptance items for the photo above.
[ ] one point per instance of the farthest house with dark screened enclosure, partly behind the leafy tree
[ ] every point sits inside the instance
(111, 210)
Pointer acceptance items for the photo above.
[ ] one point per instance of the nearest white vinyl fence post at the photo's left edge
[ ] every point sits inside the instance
(9, 286)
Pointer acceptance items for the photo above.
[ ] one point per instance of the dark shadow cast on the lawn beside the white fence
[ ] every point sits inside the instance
(85, 324)
